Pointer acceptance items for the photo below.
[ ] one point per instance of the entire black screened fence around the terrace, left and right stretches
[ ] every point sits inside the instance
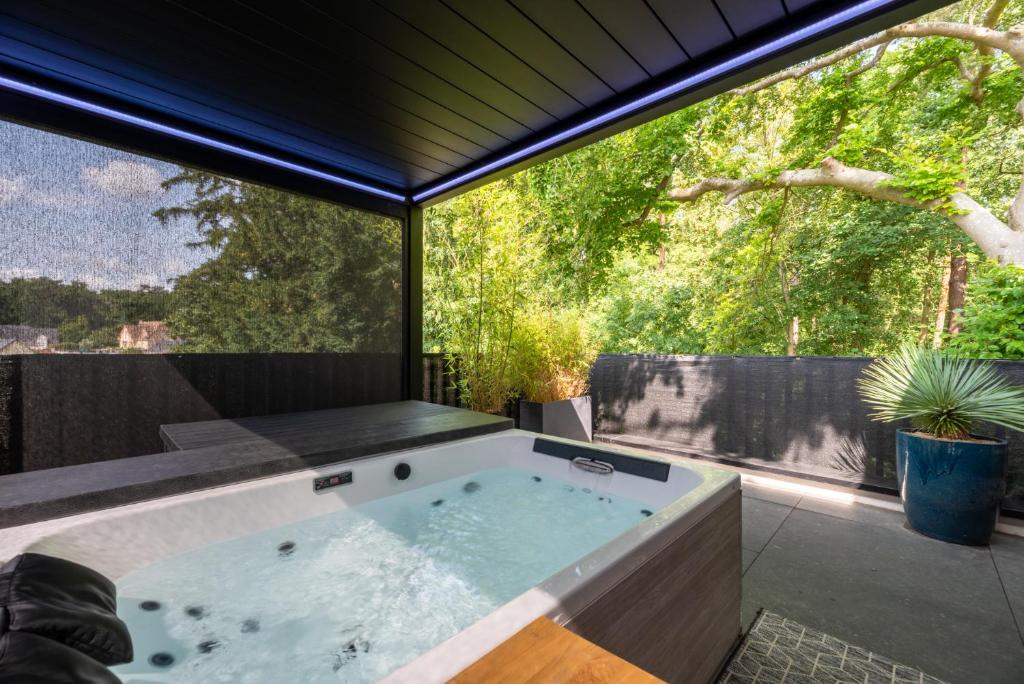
(800, 416)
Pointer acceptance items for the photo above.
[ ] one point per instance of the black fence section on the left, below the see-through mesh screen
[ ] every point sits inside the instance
(61, 410)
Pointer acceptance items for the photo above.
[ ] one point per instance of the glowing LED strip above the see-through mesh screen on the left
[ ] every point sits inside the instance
(51, 97)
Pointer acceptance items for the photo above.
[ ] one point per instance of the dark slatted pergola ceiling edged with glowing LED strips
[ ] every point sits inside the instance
(416, 98)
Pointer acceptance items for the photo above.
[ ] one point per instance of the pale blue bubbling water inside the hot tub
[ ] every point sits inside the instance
(354, 595)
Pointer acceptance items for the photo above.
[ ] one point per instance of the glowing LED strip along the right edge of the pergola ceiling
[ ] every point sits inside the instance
(809, 31)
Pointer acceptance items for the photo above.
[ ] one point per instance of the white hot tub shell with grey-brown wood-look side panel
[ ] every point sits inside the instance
(664, 595)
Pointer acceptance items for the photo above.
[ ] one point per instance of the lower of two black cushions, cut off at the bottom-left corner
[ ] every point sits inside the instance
(27, 659)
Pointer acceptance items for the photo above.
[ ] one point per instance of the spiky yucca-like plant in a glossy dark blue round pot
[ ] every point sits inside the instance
(951, 480)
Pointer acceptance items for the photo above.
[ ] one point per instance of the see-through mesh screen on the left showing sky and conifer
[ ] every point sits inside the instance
(108, 251)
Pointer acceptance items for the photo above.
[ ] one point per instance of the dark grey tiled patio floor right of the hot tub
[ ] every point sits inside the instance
(855, 572)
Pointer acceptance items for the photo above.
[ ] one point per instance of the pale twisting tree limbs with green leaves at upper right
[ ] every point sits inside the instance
(846, 125)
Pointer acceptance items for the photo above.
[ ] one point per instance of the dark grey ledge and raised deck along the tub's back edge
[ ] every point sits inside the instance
(318, 439)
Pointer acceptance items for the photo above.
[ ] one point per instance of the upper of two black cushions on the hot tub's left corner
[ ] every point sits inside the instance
(66, 603)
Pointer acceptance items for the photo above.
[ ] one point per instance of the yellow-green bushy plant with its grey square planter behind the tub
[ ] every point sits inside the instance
(553, 360)
